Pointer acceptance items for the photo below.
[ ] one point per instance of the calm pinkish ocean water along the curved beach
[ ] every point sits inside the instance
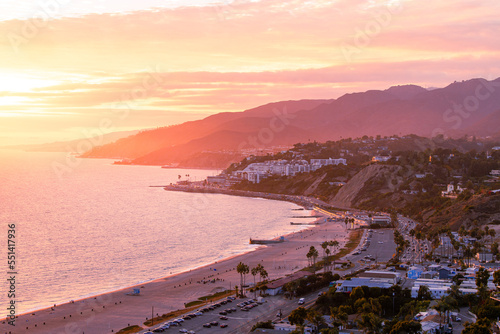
(85, 226)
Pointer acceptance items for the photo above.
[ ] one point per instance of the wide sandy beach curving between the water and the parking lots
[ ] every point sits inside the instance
(116, 310)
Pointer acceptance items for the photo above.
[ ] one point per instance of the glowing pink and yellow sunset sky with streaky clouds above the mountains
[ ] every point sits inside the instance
(66, 65)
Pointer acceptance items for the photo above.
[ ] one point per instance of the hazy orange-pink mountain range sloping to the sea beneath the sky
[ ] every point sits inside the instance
(398, 110)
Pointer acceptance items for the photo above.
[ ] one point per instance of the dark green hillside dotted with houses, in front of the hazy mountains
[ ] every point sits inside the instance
(410, 182)
